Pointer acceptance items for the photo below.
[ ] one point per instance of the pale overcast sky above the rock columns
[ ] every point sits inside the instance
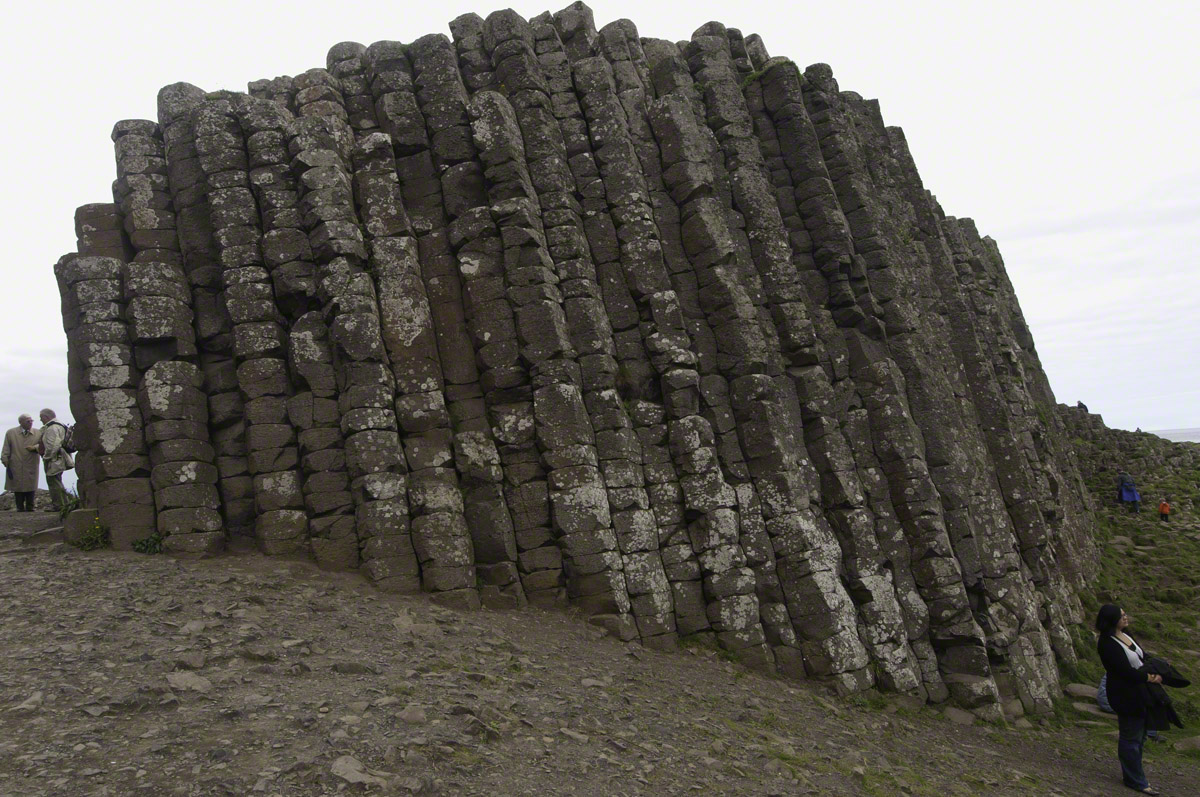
(1066, 130)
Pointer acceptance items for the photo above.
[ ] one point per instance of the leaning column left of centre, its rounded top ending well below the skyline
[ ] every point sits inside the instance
(548, 426)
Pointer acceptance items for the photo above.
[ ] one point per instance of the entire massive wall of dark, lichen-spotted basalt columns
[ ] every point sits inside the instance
(550, 315)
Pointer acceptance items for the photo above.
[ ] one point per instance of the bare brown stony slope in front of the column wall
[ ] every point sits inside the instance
(124, 674)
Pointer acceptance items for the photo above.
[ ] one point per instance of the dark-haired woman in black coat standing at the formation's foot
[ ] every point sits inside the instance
(1127, 692)
